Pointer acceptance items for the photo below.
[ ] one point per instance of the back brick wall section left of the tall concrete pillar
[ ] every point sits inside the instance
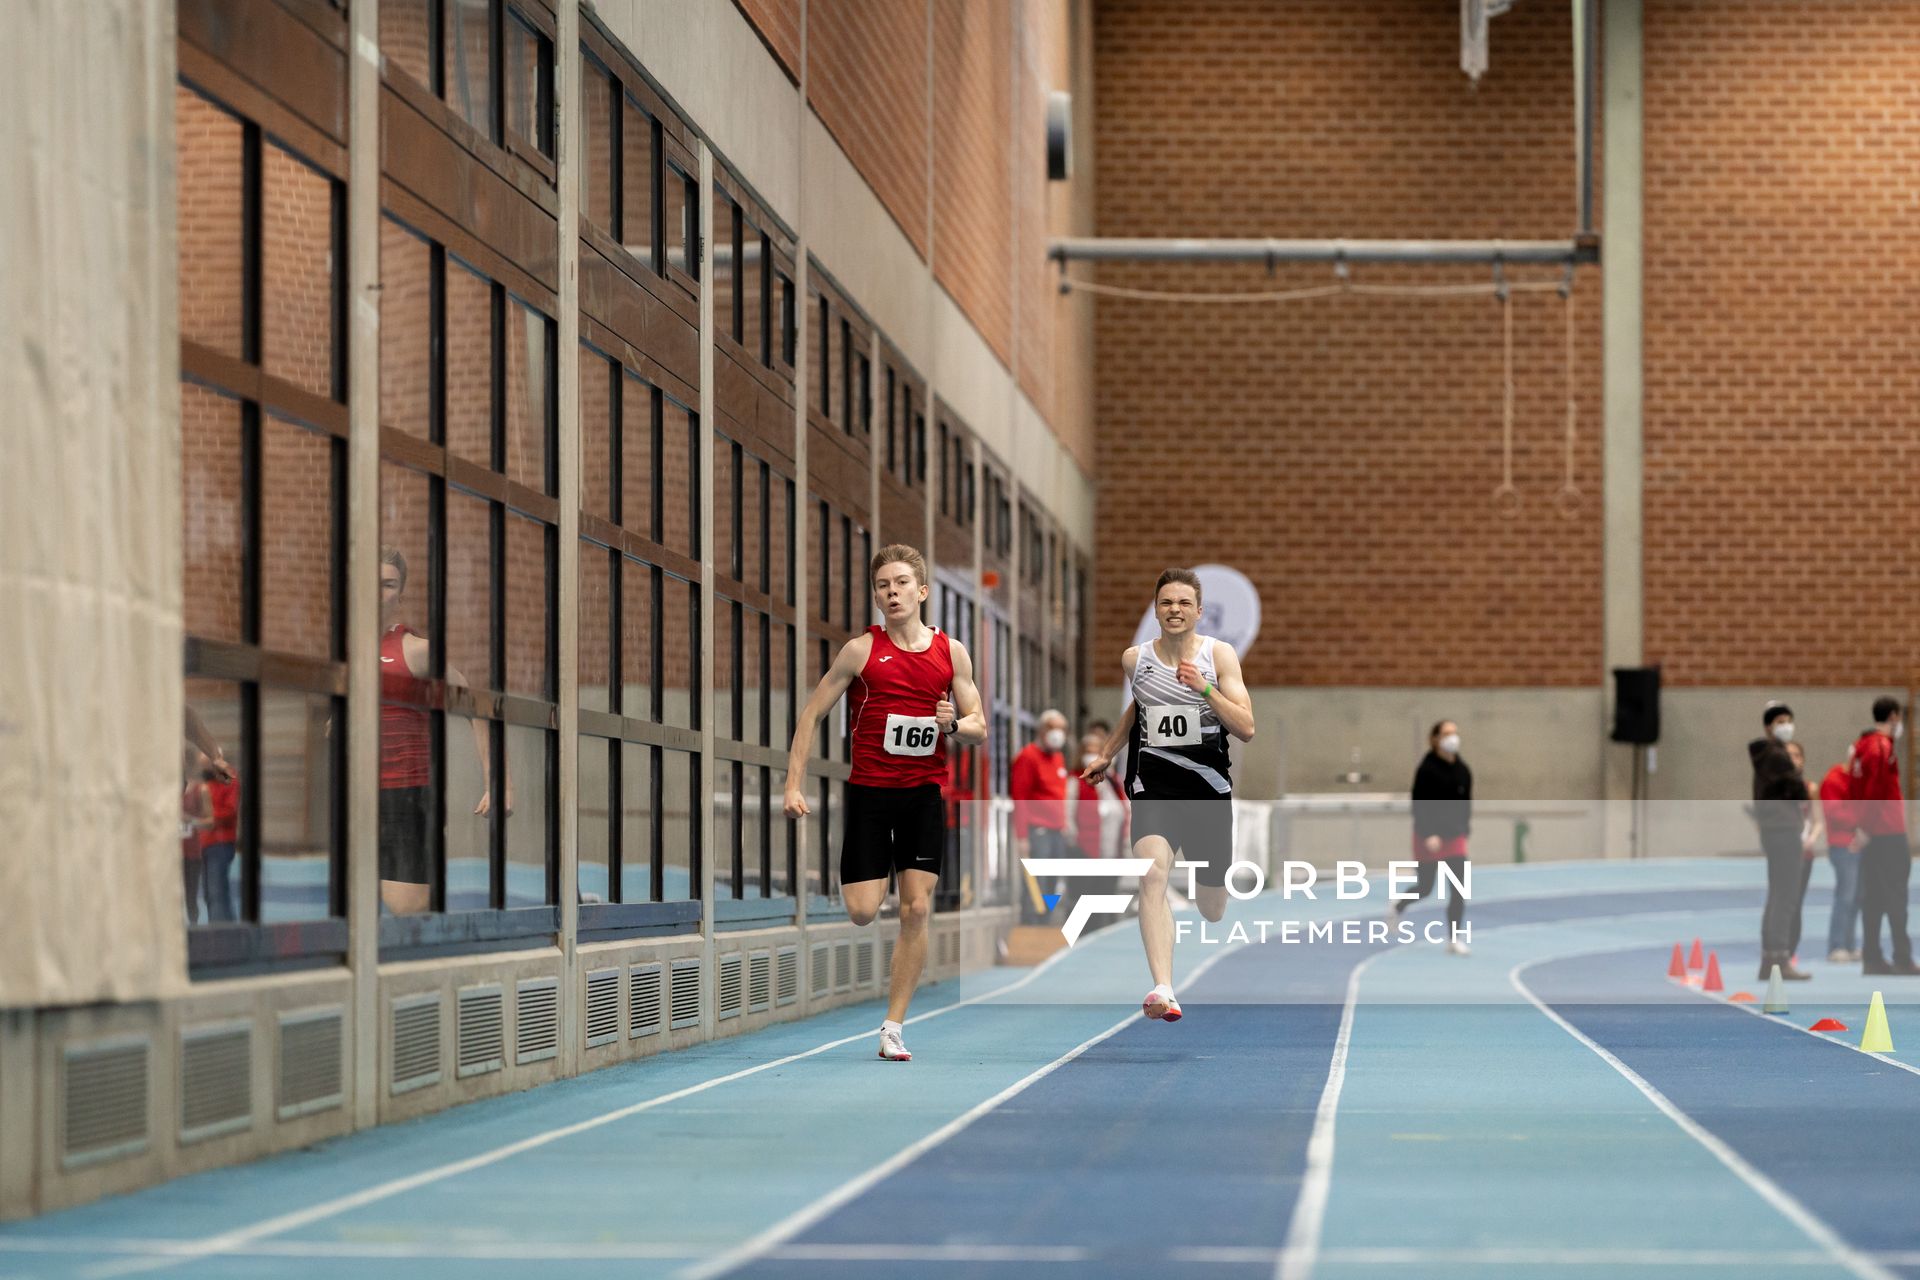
(1343, 454)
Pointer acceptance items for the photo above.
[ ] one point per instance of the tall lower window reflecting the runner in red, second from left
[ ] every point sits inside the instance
(468, 584)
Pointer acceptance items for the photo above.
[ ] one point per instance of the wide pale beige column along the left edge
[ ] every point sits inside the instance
(89, 506)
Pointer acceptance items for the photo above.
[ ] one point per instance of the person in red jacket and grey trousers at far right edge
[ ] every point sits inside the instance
(1881, 836)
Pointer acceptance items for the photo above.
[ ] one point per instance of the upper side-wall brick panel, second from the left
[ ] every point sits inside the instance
(867, 80)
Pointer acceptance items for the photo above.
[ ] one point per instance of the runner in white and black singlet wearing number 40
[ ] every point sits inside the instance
(1186, 699)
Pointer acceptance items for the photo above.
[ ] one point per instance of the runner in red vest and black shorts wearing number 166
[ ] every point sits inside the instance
(913, 690)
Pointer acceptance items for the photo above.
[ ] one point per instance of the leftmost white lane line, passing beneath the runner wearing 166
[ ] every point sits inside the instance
(233, 1241)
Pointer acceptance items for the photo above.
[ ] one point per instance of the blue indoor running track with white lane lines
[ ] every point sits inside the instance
(1548, 1106)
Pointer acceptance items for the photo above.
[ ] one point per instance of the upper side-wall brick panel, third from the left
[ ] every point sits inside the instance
(972, 204)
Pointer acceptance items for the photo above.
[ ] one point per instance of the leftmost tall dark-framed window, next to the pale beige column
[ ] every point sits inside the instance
(264, 435)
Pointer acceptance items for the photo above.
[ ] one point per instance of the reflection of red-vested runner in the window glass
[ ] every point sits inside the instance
(408, 749)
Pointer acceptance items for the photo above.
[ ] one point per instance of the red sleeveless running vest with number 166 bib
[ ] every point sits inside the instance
(892, 711)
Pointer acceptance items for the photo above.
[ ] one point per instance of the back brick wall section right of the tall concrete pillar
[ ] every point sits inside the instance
(1783, 241)
